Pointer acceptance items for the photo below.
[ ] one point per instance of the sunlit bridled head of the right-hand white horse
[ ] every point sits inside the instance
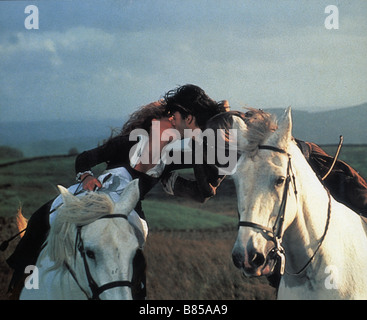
(263, 186)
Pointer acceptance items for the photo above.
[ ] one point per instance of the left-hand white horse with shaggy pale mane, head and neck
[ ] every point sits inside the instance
(89, 251)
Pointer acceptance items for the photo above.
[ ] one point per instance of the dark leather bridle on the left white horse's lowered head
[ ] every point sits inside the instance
(95, 289)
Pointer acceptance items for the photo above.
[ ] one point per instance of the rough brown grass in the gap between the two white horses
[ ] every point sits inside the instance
(196, 266)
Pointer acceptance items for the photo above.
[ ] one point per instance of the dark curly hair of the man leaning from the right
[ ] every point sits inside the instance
(191, 99)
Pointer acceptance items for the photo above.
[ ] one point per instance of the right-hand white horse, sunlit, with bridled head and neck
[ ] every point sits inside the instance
(286, 212)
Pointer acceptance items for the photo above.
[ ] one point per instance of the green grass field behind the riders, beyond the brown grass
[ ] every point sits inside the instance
(31, 184)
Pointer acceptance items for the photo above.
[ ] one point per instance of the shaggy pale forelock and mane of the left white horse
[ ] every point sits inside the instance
(81, 211)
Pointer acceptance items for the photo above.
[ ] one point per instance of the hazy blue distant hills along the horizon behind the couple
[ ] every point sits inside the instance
(58, 137)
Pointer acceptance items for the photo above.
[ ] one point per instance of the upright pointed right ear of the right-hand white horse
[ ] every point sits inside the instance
(283, 135)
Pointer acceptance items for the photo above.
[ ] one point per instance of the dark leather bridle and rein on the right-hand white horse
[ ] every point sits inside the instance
(275, 233)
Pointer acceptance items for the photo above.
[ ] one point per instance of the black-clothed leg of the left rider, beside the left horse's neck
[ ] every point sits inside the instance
(29, 247)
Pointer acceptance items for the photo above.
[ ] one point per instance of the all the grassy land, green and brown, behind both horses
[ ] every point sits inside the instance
(190, 261)
